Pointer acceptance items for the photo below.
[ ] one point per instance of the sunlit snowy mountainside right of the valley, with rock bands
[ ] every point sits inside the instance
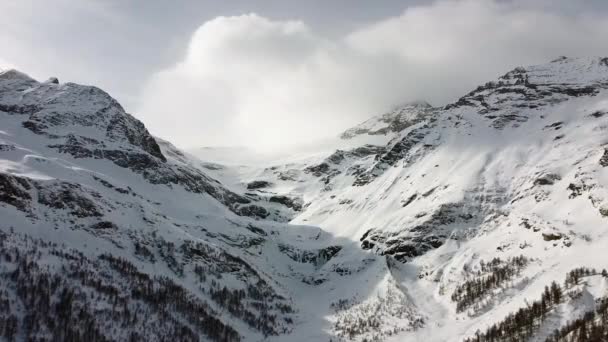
(514, 168)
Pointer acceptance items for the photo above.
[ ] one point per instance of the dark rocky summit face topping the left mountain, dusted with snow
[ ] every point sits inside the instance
(50, 108)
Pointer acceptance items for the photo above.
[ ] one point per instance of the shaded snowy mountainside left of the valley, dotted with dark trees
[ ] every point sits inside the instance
(108, 235)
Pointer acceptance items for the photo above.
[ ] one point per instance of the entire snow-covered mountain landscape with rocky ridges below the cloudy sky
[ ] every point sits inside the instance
(481, 220)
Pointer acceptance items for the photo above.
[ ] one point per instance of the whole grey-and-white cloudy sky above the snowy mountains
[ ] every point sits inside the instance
(267, 74)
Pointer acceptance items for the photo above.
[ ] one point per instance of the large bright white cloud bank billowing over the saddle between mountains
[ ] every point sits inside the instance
(248, 80)
